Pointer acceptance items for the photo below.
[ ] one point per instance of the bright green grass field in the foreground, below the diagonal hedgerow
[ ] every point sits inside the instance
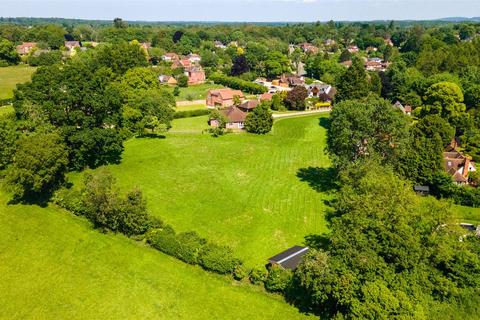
(55, 266)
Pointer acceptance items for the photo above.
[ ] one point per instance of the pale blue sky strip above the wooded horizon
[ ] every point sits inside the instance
(242, 10)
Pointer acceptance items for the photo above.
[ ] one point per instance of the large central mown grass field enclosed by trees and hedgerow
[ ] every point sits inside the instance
(241, 190)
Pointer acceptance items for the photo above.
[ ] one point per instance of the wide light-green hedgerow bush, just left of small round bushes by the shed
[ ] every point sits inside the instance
(218, 258)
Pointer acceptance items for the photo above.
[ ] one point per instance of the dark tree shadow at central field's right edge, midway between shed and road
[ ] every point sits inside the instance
(319, 179)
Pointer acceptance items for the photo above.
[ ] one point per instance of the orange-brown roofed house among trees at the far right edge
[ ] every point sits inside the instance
(458, 166)
